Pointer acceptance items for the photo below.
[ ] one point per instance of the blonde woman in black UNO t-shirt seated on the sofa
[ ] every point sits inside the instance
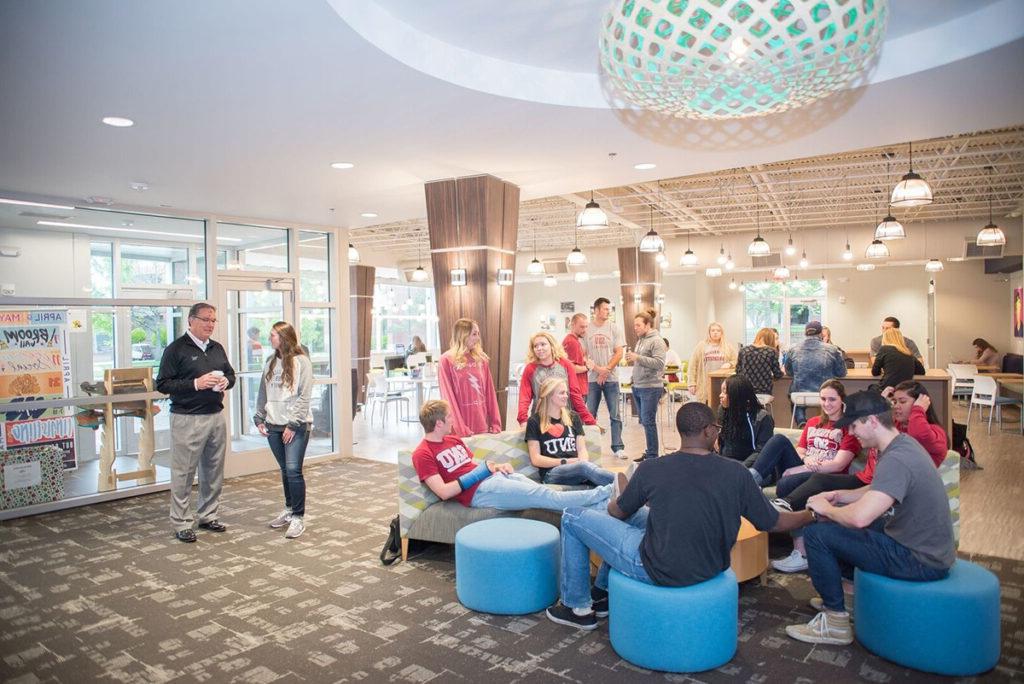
(557, 441)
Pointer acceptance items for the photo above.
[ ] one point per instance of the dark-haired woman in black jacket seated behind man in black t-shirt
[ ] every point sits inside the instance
(747, 427)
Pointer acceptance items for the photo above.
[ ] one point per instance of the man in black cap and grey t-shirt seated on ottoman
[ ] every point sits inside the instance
(898, 527)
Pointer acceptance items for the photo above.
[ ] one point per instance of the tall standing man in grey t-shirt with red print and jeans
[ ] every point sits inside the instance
(604, 346)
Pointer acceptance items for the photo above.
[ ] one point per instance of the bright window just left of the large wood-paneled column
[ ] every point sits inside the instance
(402, 313)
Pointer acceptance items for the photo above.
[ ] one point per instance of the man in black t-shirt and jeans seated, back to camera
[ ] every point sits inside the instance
(695, 500)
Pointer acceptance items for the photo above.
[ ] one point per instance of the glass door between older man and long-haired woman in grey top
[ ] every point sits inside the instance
(248, 310)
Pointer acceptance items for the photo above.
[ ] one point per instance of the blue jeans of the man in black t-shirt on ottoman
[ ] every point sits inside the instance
(617, 542)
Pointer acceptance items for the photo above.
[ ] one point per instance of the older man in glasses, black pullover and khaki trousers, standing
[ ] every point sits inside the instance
(195, 372)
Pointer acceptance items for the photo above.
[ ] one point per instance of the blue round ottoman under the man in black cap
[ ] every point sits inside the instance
(948, 627)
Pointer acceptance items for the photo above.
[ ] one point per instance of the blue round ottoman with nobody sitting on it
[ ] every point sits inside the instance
(508, 567)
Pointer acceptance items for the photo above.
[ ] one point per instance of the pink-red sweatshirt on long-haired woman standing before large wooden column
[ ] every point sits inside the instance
(471, 393)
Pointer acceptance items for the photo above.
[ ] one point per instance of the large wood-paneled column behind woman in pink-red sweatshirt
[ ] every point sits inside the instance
(474, 225)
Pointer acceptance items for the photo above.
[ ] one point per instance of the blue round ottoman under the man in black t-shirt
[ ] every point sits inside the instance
(674, 629)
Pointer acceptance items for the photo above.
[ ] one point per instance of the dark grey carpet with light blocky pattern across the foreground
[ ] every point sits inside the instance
(105, 593)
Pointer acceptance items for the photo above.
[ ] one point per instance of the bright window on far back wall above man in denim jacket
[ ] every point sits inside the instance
(787, 307)
